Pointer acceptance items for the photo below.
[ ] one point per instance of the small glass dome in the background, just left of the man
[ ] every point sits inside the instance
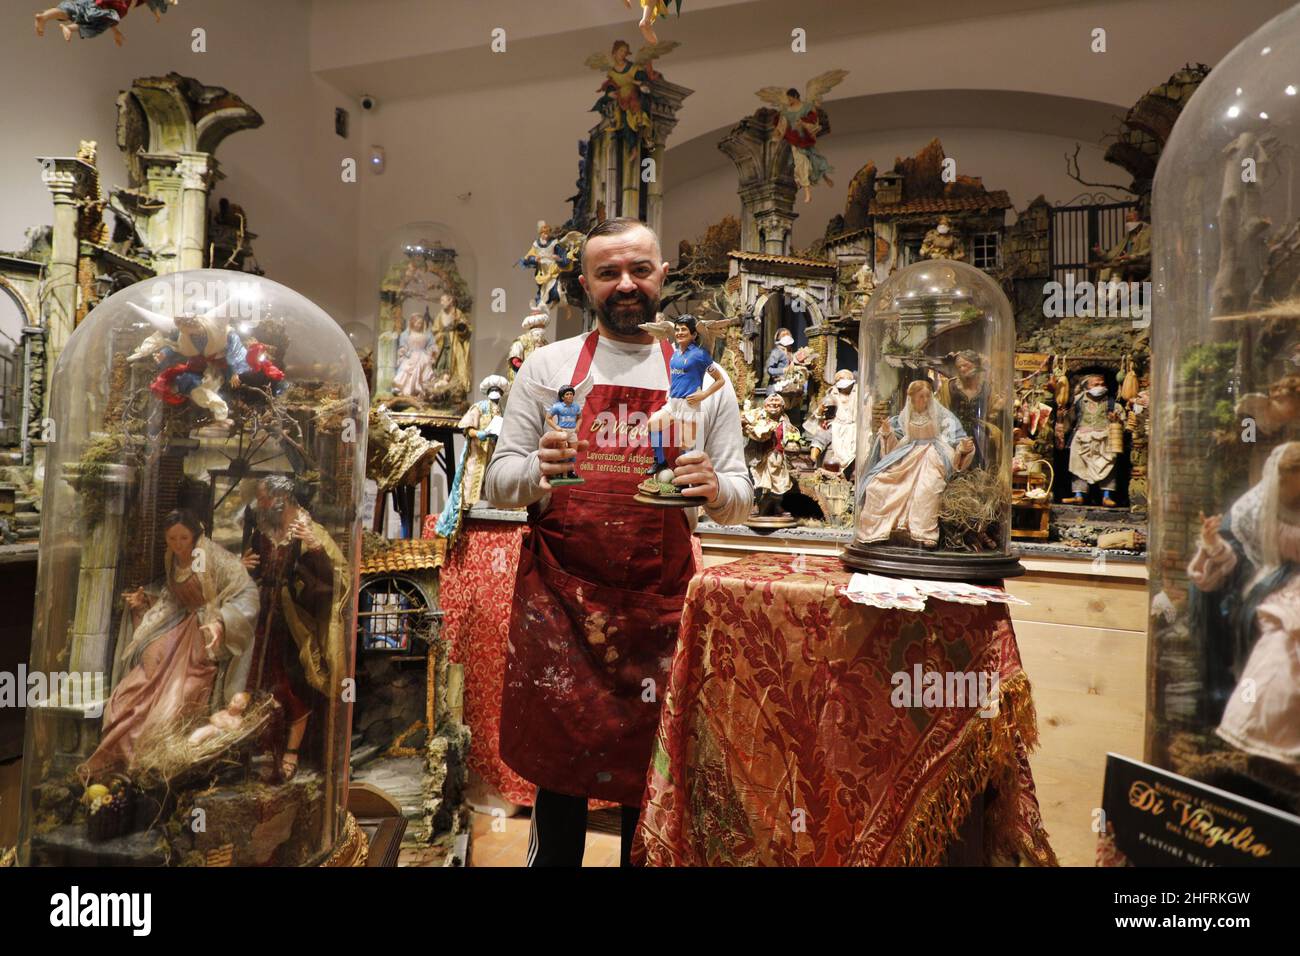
(422, 357)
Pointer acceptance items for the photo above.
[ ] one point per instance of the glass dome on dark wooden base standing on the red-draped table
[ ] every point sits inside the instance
(934, 490)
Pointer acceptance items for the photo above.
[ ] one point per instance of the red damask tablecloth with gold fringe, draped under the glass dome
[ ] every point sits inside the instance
(779, 745)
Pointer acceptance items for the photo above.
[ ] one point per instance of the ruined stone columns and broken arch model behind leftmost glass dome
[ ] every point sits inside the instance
(170, 129)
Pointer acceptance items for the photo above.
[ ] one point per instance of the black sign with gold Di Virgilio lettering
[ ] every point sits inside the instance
(1158, 819)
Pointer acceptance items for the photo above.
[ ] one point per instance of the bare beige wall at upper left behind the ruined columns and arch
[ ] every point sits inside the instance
(284, 175)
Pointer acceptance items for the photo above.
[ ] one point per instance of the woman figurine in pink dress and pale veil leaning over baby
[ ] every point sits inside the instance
(190, 650)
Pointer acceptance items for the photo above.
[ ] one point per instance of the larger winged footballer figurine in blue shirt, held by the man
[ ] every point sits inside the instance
(679, 418)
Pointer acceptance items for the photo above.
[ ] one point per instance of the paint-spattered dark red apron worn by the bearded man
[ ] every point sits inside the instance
(595, 620)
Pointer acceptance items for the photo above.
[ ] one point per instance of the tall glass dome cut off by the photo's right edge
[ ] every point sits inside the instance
(1225, 505)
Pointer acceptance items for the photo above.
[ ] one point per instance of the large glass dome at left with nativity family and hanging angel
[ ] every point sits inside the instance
(197, 585)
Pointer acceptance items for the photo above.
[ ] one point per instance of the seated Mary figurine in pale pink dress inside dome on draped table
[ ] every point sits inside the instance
(913, 457)
